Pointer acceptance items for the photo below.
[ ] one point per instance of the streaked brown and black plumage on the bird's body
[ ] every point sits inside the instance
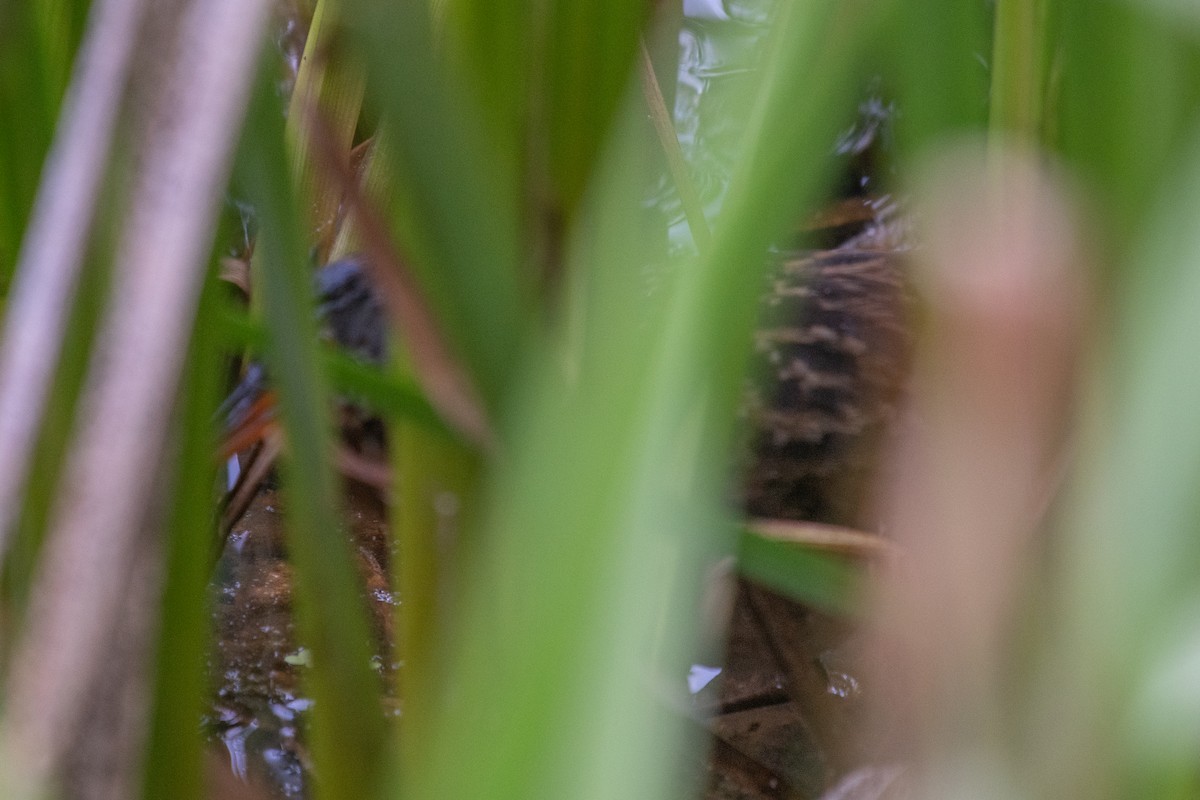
(832, 354)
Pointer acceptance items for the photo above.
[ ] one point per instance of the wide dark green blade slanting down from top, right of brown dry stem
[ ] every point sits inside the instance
(454, 199)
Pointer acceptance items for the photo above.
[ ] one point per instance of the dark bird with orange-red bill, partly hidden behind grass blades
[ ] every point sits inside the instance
(830, 359)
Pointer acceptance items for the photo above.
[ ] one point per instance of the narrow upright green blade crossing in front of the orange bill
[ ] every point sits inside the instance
(349, 729)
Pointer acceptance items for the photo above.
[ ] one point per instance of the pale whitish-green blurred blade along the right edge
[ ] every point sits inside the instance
(1129, 570)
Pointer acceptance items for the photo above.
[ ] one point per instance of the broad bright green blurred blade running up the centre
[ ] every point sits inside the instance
(613, 494)
